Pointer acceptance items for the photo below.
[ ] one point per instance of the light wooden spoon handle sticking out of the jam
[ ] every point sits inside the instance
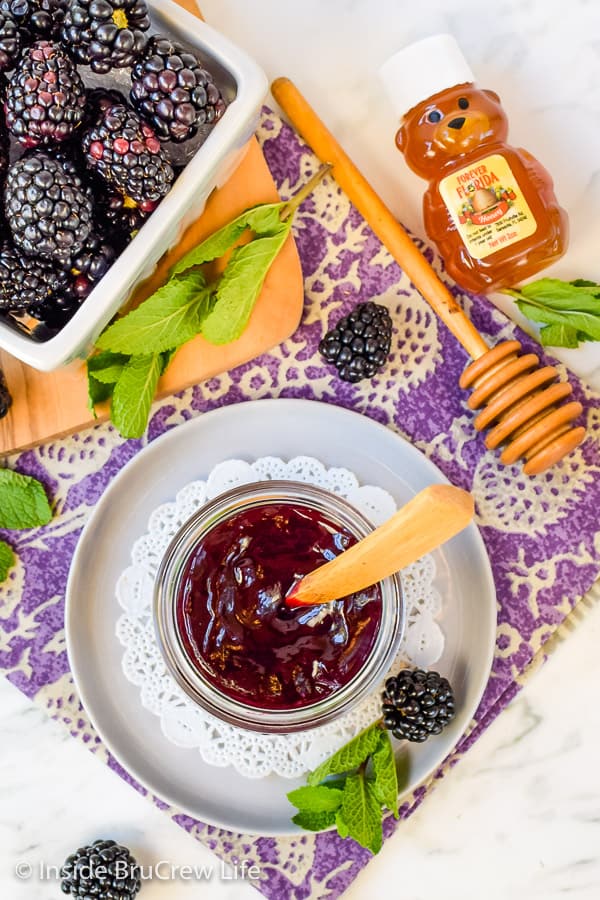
(432, 517)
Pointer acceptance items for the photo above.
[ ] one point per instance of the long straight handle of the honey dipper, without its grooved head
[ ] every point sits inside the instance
(378, 215)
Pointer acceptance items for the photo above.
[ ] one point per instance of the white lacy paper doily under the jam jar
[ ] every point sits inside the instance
(186, 724)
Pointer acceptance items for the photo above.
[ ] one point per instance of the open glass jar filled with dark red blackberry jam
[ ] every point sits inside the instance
(226, 633)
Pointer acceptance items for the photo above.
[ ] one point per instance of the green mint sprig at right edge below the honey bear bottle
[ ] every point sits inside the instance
(568, 310)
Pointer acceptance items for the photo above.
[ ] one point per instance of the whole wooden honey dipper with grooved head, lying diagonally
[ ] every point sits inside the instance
(520, 402)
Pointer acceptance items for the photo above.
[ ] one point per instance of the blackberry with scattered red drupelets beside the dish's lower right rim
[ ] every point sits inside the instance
(126, 153)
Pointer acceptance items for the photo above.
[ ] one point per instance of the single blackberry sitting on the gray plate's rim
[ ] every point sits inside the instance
(417, 704)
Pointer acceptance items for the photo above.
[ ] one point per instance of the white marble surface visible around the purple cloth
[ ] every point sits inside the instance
(520, 815)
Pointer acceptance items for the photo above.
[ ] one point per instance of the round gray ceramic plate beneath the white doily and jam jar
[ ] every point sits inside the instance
(283, 428)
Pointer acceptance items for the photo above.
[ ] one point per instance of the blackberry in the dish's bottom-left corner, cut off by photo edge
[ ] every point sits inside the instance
(26, 283)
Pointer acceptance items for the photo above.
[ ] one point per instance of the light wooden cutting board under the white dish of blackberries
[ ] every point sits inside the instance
(53, 404)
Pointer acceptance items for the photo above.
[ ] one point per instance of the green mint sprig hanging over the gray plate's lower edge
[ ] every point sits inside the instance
(365, 781)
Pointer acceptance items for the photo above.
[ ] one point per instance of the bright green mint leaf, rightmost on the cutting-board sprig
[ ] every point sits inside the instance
(240, 285)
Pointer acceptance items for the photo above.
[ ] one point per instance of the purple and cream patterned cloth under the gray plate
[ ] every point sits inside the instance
(541, 533)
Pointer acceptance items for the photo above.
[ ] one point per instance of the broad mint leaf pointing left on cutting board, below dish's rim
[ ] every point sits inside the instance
(166, 320)
